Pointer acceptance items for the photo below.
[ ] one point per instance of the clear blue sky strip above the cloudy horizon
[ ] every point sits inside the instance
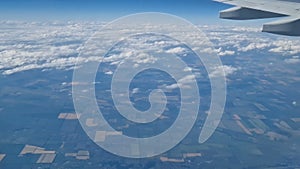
(194, 10)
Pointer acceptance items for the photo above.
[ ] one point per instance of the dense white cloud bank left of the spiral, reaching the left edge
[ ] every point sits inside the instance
(42, 45)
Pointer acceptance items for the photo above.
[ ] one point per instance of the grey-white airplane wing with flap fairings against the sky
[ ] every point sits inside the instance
(258, 9)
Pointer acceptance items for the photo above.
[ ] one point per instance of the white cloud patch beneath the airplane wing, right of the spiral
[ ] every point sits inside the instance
(245, 39)
